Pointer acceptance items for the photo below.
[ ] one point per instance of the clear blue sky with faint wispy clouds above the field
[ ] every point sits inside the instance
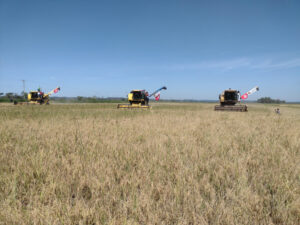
(195, 48)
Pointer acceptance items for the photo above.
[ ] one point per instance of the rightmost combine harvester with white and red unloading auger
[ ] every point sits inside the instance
(229, 99)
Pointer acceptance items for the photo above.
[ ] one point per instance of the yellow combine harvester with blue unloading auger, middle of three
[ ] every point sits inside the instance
(140, 98)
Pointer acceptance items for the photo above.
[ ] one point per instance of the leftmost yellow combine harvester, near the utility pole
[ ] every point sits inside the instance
(38, 97)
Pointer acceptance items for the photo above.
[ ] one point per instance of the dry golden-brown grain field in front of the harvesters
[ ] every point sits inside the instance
(178, 163)
